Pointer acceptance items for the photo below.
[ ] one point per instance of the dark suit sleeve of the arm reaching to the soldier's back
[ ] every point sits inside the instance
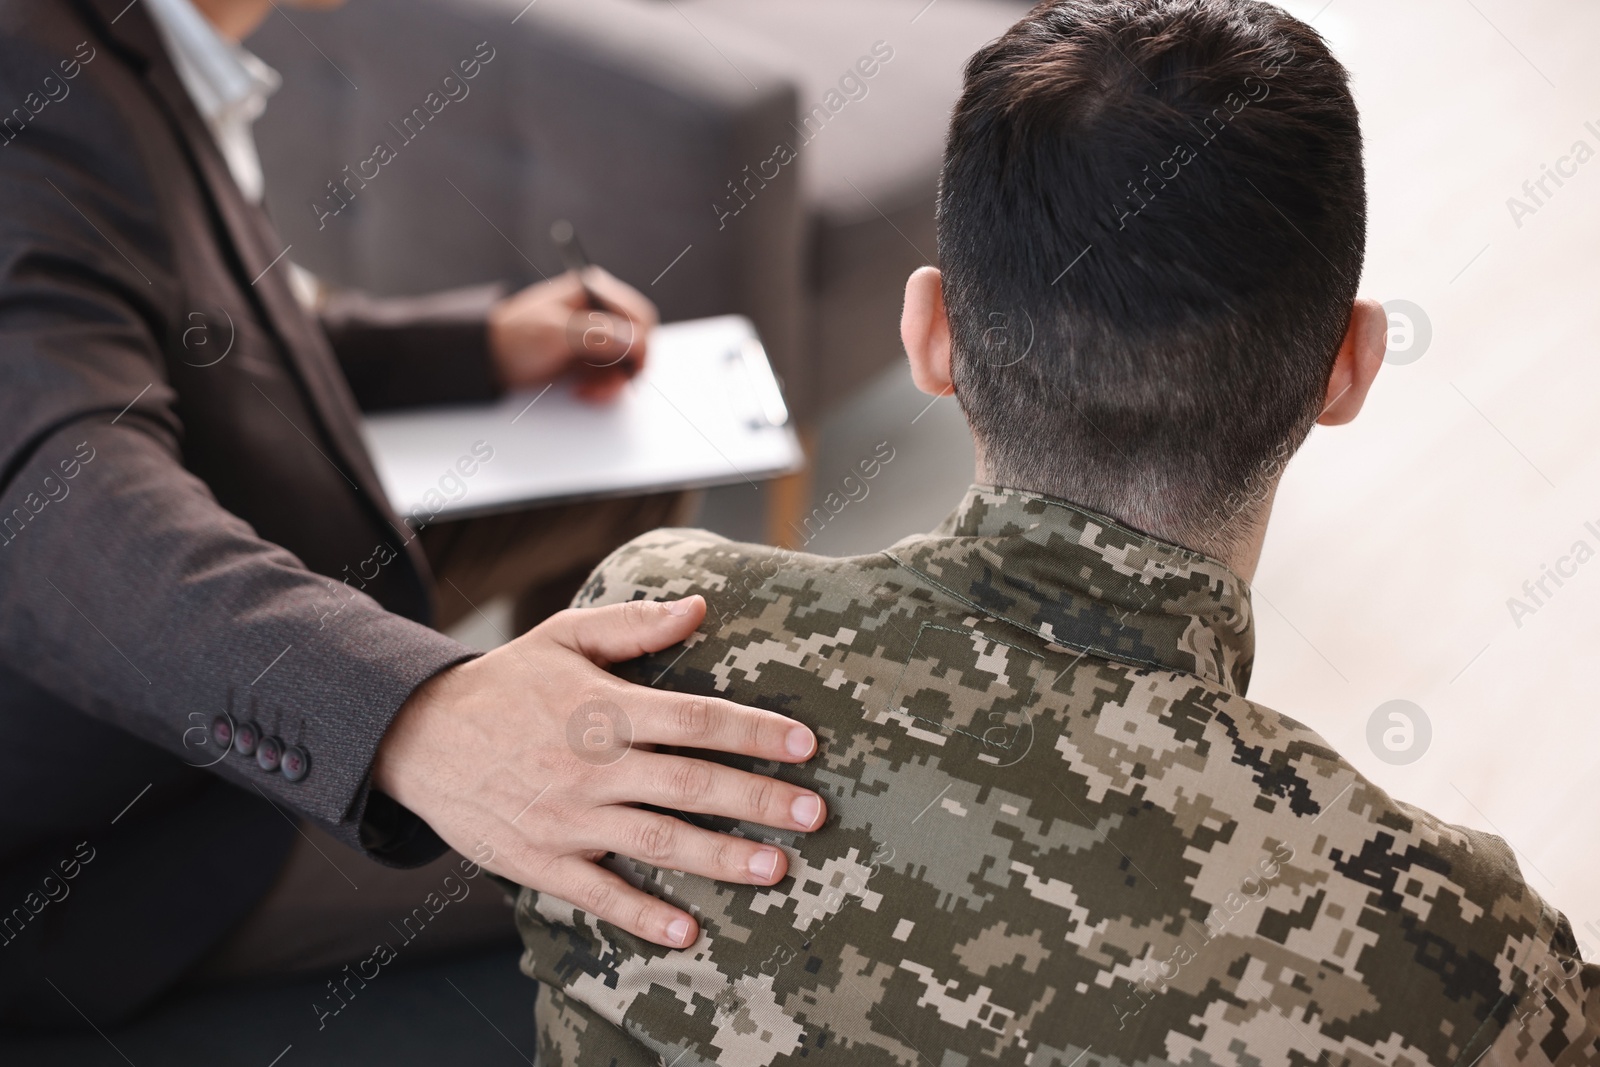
(126, 589)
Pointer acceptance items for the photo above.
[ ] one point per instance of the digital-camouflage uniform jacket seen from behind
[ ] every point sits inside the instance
(1058, 834)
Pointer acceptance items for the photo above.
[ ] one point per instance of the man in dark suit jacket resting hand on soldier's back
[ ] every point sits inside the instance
(215, 636)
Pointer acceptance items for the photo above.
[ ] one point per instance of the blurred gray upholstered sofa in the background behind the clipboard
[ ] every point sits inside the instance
(655, 127)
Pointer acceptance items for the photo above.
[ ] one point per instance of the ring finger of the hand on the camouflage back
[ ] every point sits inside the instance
(679, 845)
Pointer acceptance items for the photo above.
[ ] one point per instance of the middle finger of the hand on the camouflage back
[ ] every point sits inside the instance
(687, 785)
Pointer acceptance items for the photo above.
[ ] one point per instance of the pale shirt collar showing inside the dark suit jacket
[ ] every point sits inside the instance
(230, 87)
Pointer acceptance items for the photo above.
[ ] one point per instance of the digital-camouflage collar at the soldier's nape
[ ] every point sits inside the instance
(1087, 583)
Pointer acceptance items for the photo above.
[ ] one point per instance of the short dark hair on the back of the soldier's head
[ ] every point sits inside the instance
(1153, 220)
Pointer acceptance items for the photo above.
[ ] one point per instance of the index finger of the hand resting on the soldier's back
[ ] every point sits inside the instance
(700, 722)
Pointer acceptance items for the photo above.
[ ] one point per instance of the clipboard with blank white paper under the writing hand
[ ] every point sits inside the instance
(705, 412)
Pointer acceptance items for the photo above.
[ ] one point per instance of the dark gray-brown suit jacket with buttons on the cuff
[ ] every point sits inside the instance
(190, 527)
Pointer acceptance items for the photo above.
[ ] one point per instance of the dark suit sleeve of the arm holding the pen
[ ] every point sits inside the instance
(414, 351)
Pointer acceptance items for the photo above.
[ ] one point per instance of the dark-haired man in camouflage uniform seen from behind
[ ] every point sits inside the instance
(1058, 831)
